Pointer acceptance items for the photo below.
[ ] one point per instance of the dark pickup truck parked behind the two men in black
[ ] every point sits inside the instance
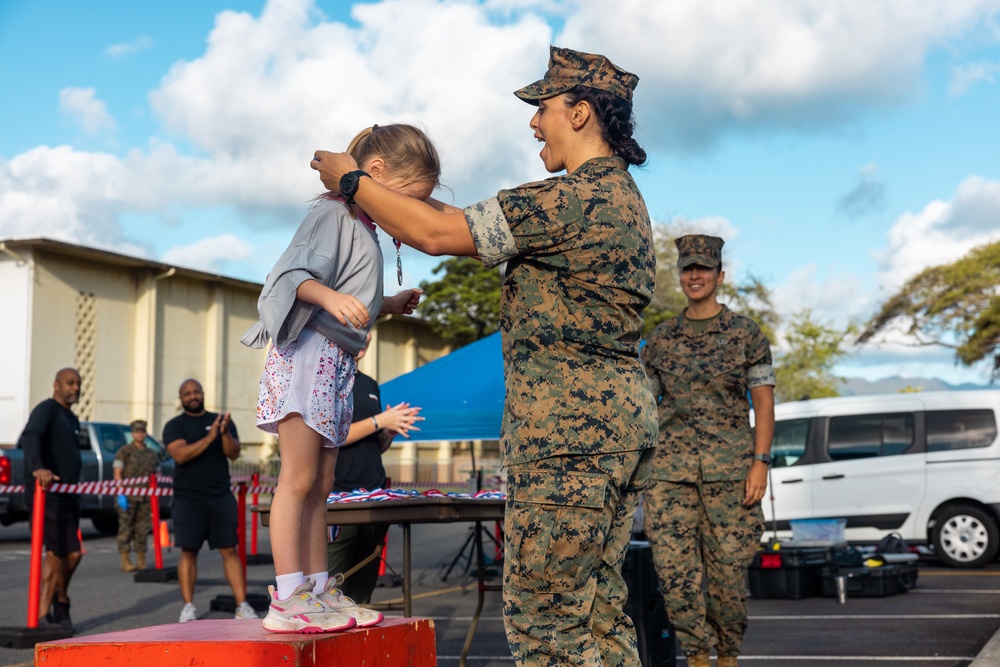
(98, 443)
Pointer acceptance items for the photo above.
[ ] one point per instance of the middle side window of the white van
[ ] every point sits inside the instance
(865, 436)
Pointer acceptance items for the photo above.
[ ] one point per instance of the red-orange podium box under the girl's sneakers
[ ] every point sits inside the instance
(396, 642)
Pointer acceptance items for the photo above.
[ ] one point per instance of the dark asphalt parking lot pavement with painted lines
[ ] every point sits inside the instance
(946, 621)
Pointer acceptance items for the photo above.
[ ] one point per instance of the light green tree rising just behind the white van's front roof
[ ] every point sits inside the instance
(805, 368)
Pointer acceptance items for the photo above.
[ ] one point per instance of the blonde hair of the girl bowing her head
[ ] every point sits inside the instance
(408, 153)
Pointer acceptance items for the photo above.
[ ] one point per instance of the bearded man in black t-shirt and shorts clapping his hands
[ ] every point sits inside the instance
(204, 507)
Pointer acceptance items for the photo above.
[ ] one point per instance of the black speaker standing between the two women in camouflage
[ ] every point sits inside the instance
(656, 640)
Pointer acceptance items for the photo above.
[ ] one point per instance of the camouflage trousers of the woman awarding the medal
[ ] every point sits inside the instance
(567, 525)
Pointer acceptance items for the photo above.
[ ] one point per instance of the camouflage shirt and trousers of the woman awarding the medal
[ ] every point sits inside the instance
(578, 420)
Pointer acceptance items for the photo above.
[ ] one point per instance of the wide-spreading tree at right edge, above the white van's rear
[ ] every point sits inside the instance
(955, 305)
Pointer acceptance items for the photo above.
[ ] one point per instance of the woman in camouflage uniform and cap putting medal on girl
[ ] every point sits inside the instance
(579, 423)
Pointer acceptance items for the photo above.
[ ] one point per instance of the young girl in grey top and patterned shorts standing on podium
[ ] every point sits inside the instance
(316, 309)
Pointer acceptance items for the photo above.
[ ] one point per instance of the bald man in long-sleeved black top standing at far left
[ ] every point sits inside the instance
(51, 444)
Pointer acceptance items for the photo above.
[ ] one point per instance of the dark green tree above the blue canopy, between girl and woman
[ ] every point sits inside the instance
(464, 305)
